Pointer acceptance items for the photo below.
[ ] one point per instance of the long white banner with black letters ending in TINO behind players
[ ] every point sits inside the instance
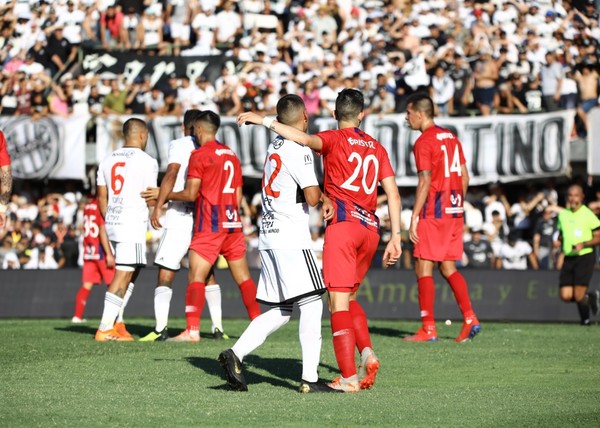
(498, 148)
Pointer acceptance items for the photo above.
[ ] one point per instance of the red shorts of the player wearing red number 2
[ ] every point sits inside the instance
(209, 245)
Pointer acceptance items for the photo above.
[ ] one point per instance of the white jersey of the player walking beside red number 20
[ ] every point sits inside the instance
(289, 168)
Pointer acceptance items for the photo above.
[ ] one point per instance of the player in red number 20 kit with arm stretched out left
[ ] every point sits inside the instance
(354, 164)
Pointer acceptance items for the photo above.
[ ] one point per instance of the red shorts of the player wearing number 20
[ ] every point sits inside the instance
(347, 254)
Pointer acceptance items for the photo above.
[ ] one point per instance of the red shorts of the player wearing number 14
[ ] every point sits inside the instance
(439, 239)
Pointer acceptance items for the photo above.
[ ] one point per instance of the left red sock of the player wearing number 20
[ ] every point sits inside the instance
(344, 342)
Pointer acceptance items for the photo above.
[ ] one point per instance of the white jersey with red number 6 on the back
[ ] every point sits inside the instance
(126, 173)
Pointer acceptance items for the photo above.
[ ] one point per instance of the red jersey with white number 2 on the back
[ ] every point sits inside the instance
(220, 172)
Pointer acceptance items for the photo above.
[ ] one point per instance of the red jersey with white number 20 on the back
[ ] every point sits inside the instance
(355, 163)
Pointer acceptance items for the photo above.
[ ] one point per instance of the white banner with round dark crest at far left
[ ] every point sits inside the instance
(51, 147)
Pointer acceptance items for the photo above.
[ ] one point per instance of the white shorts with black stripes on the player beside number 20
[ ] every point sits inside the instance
(287, 276)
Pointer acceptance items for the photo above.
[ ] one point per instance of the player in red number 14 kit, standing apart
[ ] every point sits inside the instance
(437, 218)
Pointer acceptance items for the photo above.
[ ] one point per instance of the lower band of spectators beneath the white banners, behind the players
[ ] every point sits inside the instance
(503, 230)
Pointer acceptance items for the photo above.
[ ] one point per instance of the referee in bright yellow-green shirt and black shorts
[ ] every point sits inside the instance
(579, 233)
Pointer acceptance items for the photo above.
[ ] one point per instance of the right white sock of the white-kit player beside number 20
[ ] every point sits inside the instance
(311, 311)
